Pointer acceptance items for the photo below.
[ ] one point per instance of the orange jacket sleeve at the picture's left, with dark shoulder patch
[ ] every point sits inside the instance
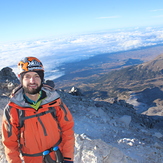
(10, 135)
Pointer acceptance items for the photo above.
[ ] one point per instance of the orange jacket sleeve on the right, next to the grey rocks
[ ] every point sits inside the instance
(66, 123)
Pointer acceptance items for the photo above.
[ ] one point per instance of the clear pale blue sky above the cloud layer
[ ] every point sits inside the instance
(30, 19)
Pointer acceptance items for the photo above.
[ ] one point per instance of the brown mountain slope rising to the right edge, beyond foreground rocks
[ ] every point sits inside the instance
(121, 82)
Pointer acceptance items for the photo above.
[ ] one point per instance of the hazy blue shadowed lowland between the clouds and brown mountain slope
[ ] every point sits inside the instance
(85, 71)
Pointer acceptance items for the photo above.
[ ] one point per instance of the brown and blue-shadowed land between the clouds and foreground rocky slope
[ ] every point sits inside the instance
(112, 77)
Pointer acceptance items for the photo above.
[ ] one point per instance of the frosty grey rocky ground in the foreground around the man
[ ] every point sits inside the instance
(110, 133)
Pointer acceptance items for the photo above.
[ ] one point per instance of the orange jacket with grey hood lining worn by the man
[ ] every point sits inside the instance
(37, 133)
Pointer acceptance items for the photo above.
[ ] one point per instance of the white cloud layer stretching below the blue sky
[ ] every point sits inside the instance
(56, 51)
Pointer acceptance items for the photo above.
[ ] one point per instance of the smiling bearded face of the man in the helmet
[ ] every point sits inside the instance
(31, 83)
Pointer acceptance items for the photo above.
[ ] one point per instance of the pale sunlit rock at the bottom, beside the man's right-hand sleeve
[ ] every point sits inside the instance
(97, 151)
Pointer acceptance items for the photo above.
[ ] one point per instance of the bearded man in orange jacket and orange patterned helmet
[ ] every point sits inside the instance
(37, 126)
